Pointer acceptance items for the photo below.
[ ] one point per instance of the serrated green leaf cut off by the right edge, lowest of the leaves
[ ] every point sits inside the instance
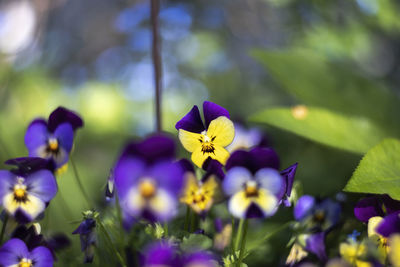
(378, 171)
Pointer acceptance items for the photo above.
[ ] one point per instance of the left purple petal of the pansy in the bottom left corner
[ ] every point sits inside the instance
(12, 251)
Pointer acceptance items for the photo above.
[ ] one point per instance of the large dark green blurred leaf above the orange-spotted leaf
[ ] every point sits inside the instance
(316, 81)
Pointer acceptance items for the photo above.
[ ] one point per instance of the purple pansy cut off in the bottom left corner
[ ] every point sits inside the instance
(15, 253)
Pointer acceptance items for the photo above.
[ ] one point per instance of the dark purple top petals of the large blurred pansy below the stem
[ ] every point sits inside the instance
(152, 149)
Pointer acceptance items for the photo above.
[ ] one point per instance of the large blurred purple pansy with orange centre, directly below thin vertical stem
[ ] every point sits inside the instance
(148, 183)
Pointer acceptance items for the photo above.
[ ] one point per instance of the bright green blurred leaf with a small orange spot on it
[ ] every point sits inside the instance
(354, 134)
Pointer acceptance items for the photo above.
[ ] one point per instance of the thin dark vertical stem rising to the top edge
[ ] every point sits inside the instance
(157, 65)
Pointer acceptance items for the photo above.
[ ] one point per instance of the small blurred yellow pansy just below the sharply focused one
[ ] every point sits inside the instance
(198, 194)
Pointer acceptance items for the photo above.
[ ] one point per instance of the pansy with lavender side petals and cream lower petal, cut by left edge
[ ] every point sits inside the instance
(24, 194)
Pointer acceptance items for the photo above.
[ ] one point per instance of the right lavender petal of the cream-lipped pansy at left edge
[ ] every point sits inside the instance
(42, 184)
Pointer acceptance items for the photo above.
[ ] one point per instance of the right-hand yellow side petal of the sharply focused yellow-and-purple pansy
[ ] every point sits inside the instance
(222, 129)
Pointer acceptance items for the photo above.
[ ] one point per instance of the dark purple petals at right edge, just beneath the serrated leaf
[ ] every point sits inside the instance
(377, 205)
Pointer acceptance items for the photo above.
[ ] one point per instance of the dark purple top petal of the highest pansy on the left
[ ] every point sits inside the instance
(62, 115)
